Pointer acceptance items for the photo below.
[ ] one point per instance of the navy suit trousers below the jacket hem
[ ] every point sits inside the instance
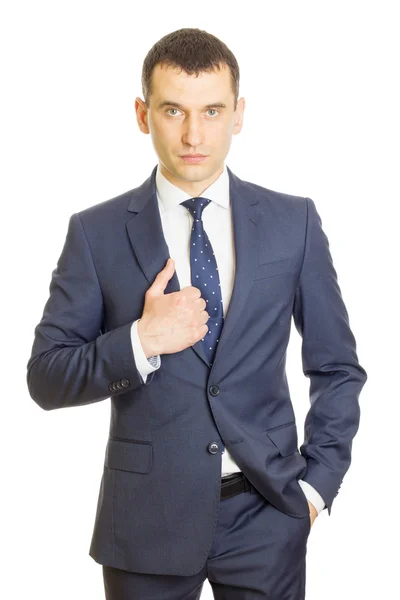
(258, 553)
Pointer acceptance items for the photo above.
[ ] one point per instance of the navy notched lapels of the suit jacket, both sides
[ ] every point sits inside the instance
(148, 242)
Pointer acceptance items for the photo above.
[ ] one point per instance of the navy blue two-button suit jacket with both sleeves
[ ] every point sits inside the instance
(160, 487)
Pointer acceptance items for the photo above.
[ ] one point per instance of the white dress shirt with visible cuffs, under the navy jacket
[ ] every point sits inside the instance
(177, 225)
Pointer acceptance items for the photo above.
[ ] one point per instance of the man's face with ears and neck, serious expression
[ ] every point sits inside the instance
(185, 117)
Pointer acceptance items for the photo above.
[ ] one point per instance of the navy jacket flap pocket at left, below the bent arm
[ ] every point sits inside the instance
(129, 456)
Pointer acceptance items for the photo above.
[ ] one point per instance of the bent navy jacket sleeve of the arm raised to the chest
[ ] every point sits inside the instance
(72, 362)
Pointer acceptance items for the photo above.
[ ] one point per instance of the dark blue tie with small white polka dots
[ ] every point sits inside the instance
(204, 274)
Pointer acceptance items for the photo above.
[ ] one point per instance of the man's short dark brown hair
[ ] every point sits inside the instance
(191, 50)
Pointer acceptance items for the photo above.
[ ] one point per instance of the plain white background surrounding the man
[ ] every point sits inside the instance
(322, 120)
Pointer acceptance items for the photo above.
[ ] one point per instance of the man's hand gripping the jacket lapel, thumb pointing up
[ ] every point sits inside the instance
(171, 322)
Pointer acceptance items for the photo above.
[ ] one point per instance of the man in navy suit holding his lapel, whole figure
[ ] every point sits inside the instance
(202, 477)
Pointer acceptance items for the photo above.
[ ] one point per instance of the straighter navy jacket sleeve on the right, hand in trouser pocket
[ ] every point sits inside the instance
(329, 360)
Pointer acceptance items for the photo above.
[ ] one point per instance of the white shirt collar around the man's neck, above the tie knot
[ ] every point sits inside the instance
(170, 196)
